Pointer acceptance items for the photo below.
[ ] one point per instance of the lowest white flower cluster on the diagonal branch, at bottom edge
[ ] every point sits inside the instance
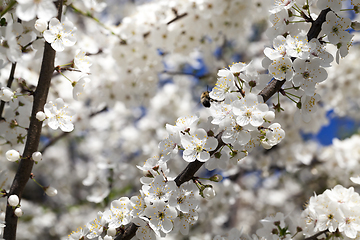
(161, 207)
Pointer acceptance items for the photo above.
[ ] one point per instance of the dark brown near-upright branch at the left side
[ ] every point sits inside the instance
(33, 135)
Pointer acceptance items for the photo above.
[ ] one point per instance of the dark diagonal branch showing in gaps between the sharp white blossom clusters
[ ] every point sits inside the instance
(273, 87)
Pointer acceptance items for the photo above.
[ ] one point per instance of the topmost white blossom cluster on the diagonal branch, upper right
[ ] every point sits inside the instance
(302, 61)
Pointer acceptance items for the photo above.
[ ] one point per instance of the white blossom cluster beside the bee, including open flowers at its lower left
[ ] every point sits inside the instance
(239, 120)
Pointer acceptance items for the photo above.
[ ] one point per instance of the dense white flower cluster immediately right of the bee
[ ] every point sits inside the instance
(239, 115)
